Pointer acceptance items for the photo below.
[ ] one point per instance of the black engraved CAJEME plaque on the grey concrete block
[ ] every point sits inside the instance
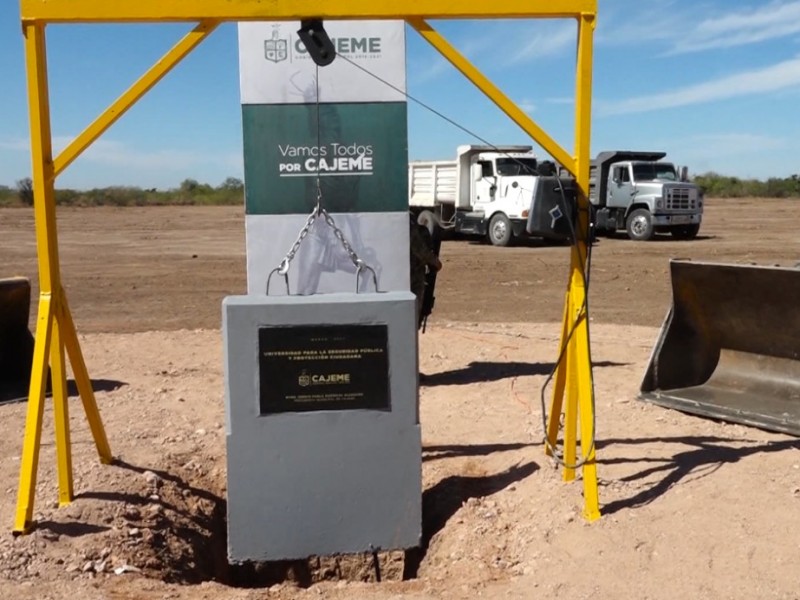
(323, 367)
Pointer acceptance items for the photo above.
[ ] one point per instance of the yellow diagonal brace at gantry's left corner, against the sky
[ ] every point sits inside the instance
(132, 95)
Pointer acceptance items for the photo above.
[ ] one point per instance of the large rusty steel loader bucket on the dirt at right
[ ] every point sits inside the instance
(730, 345)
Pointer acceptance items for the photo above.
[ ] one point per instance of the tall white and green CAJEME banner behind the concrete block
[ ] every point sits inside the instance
(340, 131)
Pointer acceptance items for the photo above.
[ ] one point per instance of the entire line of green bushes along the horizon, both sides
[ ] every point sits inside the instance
(231, 192)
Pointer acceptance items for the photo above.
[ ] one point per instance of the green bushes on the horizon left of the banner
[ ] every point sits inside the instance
(190, 192)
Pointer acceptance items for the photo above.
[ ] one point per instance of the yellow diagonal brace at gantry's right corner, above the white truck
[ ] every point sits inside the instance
(494, 93)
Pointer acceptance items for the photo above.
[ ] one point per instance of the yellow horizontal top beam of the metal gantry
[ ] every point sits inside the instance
(261, 10)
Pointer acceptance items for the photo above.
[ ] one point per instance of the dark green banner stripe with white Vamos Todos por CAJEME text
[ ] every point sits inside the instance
(359, 156)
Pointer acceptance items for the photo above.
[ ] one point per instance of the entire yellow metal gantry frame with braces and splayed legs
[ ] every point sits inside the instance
(55, 330)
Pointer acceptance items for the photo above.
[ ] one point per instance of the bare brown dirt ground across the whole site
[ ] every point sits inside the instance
(692, 508)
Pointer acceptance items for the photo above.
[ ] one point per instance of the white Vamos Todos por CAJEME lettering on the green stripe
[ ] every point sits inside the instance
(333, 159)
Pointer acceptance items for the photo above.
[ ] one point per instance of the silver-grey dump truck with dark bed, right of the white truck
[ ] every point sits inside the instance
(638, 193)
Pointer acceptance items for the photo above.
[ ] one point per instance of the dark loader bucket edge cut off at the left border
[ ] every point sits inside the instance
(16, 341)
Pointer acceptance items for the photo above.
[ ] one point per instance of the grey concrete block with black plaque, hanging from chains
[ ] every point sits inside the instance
(323, 436)
